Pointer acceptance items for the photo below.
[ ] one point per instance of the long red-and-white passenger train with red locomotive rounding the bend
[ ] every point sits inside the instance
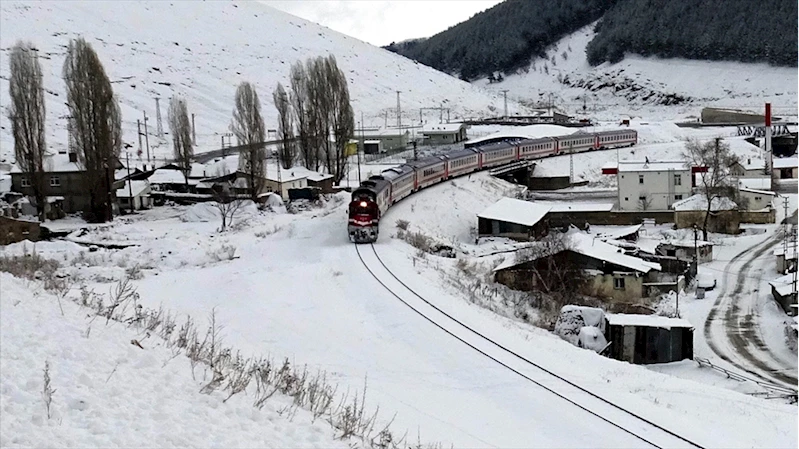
(374, 196)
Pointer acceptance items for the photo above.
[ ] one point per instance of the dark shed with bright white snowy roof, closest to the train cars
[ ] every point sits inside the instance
(512, 218)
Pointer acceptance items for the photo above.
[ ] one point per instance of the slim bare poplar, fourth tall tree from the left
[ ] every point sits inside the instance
(248, 126)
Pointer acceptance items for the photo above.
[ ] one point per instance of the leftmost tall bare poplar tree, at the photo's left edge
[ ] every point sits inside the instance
(27, 116)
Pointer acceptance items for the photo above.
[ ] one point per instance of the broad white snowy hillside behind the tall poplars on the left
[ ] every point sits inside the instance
(203, 50)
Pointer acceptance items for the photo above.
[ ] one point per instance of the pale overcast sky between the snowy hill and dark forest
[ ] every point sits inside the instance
(382, 22)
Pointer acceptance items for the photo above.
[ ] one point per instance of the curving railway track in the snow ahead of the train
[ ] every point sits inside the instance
(624, 420)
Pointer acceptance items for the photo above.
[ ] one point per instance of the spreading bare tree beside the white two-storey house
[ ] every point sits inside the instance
(715, 157)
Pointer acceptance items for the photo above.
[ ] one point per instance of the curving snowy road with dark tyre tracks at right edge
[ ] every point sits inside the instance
(733, 327)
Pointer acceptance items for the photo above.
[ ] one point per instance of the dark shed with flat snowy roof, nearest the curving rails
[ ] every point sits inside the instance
(646, 339)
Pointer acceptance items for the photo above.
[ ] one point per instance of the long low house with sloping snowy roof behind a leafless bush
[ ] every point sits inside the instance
(610, 273)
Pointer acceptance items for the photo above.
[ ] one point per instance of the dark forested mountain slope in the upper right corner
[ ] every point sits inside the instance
(747, 31)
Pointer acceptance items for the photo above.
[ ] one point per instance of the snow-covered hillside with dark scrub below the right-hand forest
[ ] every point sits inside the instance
(640, 86)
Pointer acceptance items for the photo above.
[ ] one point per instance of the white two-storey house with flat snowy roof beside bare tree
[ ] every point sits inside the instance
(651, 185)
